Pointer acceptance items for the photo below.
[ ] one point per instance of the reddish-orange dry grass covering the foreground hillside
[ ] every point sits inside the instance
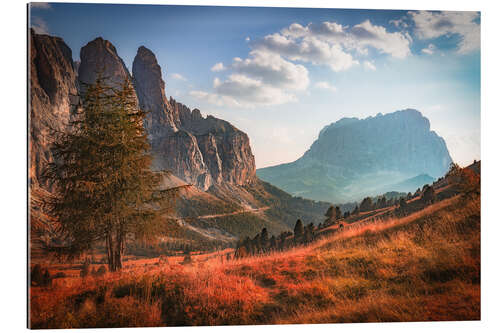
(425, 266)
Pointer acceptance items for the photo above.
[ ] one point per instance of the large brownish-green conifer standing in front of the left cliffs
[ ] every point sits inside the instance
(106, 190)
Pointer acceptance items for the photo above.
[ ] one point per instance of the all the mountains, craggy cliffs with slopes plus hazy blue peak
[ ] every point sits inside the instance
(223, 196)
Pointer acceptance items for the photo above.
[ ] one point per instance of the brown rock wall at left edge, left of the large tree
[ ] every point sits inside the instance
(53, 93)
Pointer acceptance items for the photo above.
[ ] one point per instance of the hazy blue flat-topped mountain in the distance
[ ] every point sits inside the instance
(353, 158)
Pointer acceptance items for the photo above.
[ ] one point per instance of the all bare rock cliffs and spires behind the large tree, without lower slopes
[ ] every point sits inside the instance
(201, 151)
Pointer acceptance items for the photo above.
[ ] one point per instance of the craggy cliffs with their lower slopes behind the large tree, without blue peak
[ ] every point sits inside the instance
(221, 199)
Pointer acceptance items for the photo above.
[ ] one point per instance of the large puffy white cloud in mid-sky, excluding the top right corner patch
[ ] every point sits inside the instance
(274, 70)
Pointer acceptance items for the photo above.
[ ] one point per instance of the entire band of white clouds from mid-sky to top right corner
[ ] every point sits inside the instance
(275, 70)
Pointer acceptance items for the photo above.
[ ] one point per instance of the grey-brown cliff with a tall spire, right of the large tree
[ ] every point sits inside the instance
(202, 151)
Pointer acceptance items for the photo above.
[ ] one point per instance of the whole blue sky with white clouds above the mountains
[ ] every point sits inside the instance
(282, 74)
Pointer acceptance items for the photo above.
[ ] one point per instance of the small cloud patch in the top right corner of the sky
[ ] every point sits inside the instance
(430, 25)
